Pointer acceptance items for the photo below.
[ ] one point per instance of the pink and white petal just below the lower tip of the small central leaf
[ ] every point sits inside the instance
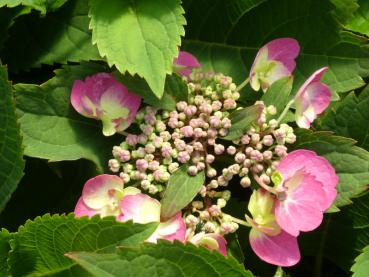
(172, 229)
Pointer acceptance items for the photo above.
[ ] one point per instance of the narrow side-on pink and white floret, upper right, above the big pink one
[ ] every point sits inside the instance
(312, 99)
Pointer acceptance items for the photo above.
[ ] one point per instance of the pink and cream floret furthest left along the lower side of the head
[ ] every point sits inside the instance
(101, 195)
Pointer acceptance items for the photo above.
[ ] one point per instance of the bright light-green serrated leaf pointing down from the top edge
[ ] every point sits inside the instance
(139, 36)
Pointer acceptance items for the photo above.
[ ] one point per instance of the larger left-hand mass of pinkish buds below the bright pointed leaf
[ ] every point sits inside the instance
(187, 135)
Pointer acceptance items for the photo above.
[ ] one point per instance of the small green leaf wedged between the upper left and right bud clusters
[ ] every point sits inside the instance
(242, 120)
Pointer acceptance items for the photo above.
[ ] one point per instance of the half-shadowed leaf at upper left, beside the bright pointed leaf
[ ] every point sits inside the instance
(58, 37)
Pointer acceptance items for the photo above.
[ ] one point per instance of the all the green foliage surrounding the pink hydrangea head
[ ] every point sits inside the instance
(46, 45)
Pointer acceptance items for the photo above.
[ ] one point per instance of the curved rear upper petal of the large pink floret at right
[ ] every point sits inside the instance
(314, 165)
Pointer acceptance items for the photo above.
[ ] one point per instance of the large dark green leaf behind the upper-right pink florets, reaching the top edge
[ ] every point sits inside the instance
(230, 46)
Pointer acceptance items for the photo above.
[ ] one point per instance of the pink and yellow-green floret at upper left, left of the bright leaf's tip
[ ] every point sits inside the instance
(102, 97)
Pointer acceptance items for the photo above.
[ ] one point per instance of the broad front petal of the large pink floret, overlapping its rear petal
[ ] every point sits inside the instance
(302, 209)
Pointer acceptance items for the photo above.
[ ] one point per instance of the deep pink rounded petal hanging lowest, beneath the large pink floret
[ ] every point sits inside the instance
(281, 250)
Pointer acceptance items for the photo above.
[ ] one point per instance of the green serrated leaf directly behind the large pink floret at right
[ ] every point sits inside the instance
(350, 162)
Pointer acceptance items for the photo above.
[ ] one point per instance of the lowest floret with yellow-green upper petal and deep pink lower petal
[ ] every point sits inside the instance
(271, 243)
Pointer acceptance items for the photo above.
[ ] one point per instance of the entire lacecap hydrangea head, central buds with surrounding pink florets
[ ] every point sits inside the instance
(291, 191)
